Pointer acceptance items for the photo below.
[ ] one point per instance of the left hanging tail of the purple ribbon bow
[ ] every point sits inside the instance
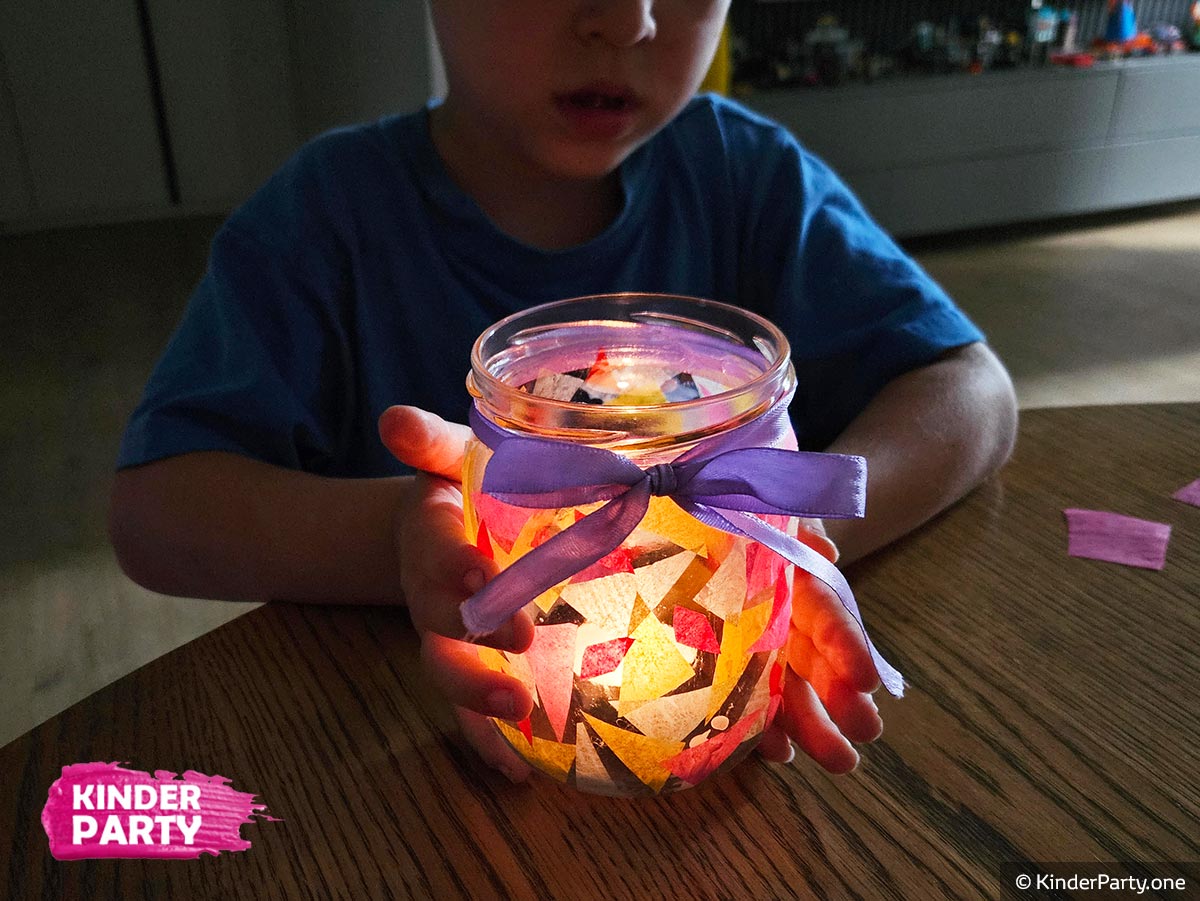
(571, 551)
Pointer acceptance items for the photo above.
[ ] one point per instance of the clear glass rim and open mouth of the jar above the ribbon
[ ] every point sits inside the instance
(637, 368)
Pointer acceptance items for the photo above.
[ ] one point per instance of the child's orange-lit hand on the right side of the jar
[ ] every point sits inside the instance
(827, 701)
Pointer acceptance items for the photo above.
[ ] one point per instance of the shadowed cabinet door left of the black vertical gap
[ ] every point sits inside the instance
(83, 106)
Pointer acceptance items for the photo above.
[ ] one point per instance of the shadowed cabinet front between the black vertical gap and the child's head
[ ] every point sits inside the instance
(248, 81)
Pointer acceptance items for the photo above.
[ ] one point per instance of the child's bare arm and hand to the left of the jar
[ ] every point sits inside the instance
(224, 526)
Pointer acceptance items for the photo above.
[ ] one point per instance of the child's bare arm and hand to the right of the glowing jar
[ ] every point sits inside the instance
(929, 437)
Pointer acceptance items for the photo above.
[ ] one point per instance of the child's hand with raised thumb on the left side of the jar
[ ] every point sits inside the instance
(440, 570)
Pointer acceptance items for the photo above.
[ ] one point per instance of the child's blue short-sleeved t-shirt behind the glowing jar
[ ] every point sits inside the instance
(359, 277)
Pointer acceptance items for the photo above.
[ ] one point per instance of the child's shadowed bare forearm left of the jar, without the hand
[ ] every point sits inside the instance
(217, 525)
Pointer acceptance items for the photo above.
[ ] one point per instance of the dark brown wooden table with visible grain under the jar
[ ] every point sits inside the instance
(1052, 717)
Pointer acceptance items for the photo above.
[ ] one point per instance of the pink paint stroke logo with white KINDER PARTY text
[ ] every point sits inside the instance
(103, 810)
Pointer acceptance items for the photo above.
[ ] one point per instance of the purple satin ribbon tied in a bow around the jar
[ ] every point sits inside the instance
(722, 482)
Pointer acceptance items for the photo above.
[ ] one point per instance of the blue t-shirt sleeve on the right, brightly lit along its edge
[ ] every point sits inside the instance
(856, 309)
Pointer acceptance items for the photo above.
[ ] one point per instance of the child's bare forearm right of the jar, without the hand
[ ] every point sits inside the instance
(929, 437)
